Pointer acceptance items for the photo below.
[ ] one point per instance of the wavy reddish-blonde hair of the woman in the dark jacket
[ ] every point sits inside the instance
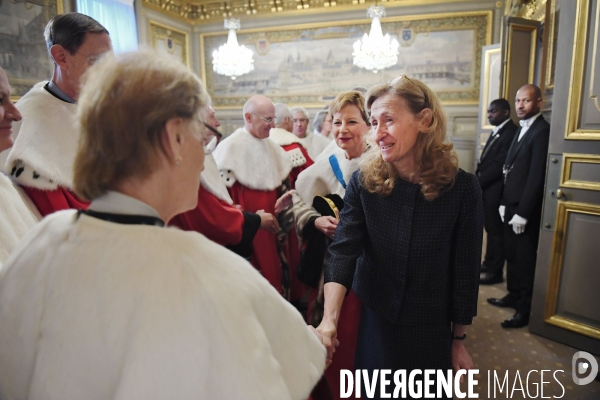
(436, 160)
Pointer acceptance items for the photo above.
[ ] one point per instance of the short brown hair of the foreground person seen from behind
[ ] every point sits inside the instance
(124, 105)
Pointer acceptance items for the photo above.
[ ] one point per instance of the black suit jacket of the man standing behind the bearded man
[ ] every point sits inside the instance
(489, 168)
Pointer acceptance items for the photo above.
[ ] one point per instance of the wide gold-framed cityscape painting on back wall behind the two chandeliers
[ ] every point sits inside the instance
(310, 64)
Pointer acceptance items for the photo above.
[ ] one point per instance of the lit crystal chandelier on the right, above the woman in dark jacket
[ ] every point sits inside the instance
(375, 51)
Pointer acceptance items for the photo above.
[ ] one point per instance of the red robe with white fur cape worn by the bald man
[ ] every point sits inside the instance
(253, 170)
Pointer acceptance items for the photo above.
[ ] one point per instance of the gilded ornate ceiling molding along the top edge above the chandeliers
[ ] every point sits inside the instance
(196, 12)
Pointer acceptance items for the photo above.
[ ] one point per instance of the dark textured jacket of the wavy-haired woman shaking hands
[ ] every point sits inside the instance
(411, 261)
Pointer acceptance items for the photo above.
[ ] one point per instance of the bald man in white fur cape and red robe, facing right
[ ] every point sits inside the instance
(255, 170)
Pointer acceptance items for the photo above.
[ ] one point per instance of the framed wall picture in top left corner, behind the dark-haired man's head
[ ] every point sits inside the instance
(23, 53)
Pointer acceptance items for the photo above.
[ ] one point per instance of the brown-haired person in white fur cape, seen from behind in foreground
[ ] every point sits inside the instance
(109, 303)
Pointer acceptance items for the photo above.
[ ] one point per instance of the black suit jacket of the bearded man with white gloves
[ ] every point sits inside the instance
(524, 183)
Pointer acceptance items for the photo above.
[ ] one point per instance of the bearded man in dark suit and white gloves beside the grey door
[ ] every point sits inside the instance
(521, 209)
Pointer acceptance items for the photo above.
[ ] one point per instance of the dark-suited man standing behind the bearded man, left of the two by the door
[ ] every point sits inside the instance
(491, 179)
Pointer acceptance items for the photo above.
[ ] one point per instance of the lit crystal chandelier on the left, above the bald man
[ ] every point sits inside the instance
(232, 59)
